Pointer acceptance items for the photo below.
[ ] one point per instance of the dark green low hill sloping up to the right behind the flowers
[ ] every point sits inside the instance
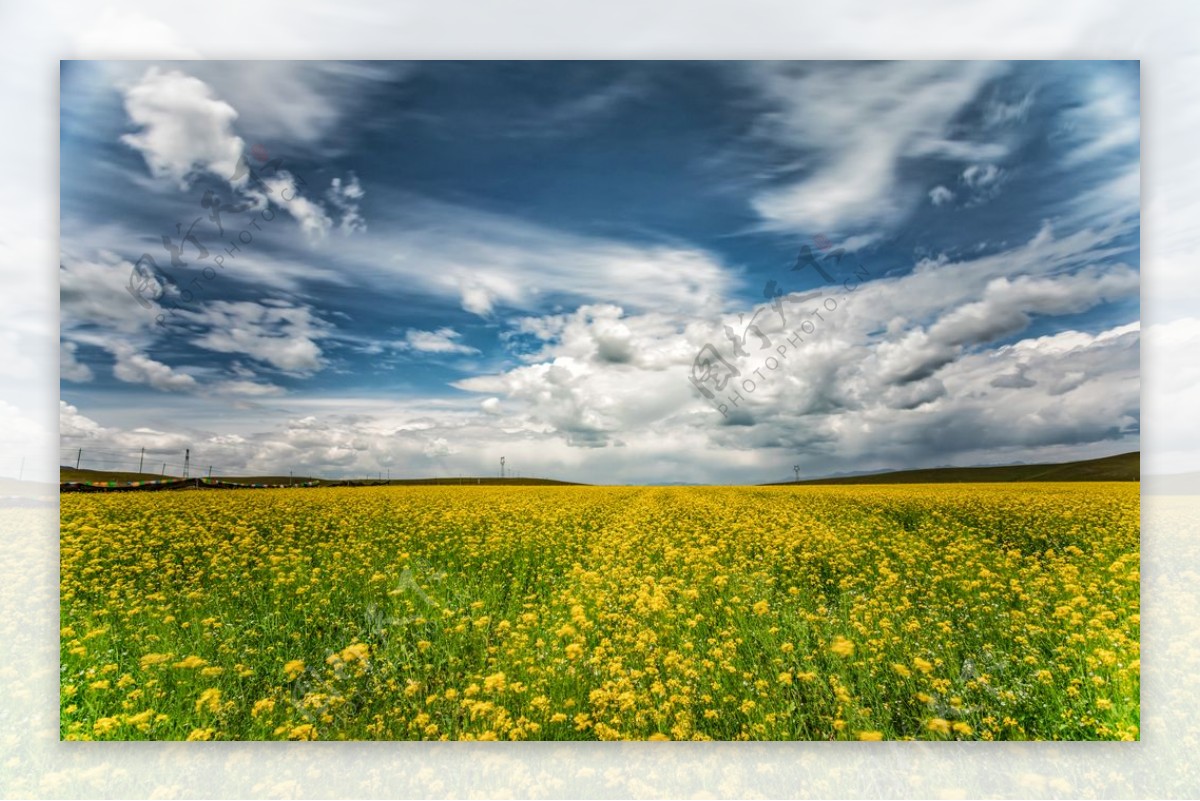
(1124, 467)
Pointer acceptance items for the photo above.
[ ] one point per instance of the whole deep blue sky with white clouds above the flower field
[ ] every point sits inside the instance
(422, 268)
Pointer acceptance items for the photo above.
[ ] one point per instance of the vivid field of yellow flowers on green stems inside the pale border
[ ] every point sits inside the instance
(994, 612)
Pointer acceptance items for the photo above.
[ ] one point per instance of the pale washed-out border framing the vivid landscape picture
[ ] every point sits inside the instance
(1162, 34)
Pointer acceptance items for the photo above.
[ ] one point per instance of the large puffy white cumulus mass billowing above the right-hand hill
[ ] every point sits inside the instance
(602, 377)
